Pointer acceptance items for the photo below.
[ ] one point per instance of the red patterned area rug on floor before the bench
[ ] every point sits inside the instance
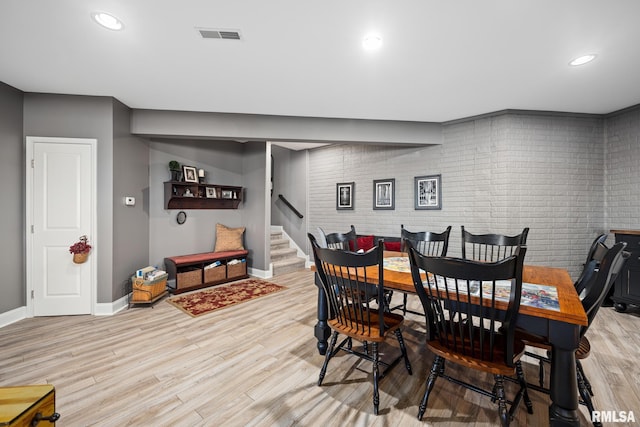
(215, 298)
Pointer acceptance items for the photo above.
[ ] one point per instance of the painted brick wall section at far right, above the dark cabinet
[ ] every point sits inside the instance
(623, 170)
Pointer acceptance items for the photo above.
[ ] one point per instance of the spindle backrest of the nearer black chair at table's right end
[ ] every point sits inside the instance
(597, 289)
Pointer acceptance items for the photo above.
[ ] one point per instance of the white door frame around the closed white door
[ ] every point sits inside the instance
(30, 141)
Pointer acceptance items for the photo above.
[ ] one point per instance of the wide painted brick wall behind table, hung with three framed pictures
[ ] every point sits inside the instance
(499, 174)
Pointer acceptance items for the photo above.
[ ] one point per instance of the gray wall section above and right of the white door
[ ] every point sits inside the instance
(83, 117)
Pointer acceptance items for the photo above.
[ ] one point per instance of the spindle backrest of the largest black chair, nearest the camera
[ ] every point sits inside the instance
(482, 326)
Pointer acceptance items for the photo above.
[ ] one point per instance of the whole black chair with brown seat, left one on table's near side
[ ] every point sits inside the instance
(352, 312)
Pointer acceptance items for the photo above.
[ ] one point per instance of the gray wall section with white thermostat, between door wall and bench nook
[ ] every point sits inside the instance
(131, 223)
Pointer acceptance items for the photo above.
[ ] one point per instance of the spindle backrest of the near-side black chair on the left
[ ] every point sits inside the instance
(348, 287)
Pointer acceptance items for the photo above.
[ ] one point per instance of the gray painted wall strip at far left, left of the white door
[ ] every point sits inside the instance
(12, 188)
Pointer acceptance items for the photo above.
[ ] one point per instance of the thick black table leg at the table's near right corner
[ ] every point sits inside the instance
(563, 410)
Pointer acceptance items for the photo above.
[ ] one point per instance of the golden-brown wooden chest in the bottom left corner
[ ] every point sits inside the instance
(20, 404)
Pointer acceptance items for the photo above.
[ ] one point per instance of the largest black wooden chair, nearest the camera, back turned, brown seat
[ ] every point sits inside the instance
(468, 323)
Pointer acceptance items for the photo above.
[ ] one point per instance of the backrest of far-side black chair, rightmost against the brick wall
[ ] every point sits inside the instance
(491, 247)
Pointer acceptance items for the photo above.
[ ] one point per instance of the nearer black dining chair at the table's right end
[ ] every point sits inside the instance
(595, 290)
